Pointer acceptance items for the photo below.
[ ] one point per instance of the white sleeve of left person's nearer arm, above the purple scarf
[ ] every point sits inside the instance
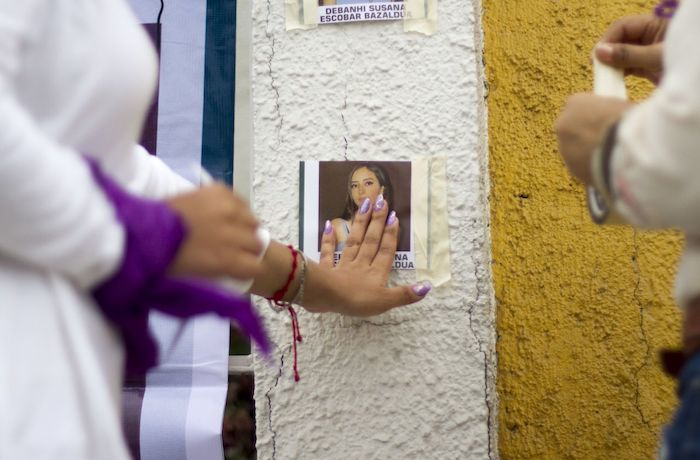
(52, 214)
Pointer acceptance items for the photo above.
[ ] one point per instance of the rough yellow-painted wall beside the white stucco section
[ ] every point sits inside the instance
(582, 310)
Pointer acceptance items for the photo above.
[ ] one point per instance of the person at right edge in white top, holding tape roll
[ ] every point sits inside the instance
(650, 157)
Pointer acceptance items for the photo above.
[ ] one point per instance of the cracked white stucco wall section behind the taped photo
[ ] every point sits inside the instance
(415, 382)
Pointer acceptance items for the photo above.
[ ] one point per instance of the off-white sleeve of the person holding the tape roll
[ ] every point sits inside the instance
(655, 167)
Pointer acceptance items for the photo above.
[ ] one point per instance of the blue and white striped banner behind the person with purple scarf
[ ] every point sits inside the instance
(176, 412)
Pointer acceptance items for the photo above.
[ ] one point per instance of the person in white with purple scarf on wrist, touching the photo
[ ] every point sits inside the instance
(76, 78)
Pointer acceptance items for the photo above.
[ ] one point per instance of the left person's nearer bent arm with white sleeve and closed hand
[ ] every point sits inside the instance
(56, 217)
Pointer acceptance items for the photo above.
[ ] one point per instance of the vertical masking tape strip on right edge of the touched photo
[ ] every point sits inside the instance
(430, 228)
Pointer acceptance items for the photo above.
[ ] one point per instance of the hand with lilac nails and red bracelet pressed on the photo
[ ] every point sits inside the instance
(357, 286)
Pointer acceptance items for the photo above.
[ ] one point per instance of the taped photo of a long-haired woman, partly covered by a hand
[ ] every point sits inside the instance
(333, 190)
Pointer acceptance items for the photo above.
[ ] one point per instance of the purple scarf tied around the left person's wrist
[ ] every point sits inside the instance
(154, 234)
